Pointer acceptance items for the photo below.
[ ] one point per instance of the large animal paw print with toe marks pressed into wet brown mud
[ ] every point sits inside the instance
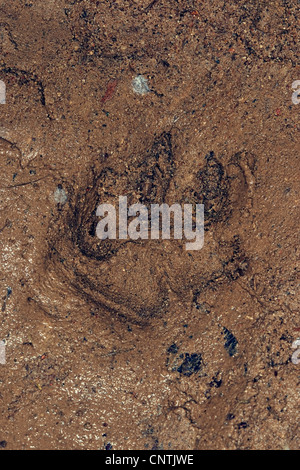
(135, 279)
